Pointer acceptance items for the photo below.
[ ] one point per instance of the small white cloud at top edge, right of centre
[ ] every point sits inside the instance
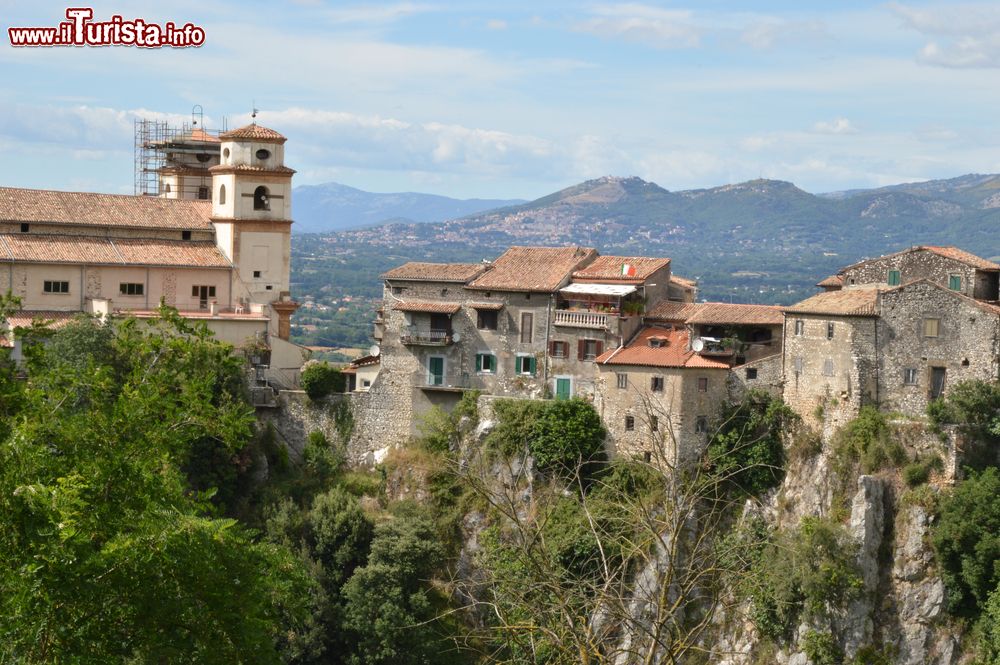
(634, 22)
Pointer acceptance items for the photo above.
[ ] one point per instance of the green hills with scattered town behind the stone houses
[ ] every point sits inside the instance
(757, 241)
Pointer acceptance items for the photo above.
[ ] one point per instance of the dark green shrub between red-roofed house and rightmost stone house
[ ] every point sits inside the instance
(747, 451)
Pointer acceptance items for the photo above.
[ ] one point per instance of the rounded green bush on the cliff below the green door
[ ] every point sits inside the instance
(566, 434)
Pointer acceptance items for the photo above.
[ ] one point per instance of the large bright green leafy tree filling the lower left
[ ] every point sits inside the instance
(107, 552)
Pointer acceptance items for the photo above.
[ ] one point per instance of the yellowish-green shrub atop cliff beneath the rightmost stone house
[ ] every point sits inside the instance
(867, 440)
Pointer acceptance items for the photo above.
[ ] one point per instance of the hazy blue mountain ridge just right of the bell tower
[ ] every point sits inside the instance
(334, 207)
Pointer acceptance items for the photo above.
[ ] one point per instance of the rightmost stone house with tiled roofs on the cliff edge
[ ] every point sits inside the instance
(894, 332)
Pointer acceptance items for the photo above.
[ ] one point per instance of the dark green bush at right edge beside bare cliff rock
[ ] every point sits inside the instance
(967, 541)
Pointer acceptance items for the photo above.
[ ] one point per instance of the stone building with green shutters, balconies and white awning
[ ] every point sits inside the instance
(529, 324)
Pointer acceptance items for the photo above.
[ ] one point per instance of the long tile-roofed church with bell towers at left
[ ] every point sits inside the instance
(221, 258)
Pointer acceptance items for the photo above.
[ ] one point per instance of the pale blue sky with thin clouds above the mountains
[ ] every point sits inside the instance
(517, 99)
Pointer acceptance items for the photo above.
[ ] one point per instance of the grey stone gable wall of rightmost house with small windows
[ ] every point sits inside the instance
(966, 346)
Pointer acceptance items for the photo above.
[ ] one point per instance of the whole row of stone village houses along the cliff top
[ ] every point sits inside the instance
(627, 334)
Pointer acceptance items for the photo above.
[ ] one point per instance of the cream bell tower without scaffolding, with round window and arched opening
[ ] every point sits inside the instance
(252, 214)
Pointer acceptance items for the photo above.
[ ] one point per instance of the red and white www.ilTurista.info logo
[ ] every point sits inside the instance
(80, 30)
